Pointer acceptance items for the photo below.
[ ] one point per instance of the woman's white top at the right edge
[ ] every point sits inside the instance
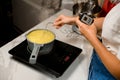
(111, 31)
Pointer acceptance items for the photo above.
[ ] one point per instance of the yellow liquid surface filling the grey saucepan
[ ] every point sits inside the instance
(41, 36)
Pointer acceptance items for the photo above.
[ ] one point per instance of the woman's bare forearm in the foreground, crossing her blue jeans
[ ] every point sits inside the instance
(108, 59)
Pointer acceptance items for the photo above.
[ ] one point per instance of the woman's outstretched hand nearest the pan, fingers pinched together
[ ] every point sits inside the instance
(62, 19)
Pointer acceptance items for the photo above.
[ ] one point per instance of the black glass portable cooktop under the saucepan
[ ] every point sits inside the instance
(55, 63)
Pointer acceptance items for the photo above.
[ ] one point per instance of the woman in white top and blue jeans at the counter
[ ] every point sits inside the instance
(105, 63)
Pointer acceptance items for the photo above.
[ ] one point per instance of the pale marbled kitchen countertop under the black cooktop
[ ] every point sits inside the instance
(11, 69)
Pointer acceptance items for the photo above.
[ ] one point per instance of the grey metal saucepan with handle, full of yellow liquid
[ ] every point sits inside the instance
(40, 42)
